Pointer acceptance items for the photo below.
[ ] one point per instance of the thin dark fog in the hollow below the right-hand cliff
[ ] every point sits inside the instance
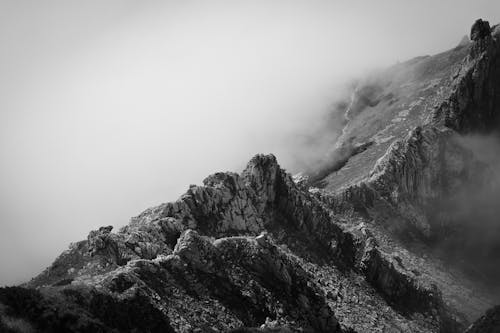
(473, 242)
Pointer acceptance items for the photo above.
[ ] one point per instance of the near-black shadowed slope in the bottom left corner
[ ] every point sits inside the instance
(82, 309)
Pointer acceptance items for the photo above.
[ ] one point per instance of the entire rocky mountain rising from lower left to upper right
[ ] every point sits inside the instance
(369, 241)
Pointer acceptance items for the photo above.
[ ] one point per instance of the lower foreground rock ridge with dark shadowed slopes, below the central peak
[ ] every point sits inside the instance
(212, 285)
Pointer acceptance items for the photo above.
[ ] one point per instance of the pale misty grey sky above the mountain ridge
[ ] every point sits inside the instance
(110, 107)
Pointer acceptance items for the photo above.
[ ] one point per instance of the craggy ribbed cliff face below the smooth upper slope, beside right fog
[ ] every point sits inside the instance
(415, 173)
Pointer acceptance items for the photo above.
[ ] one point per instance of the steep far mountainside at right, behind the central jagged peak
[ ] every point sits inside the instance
(415, 159)
